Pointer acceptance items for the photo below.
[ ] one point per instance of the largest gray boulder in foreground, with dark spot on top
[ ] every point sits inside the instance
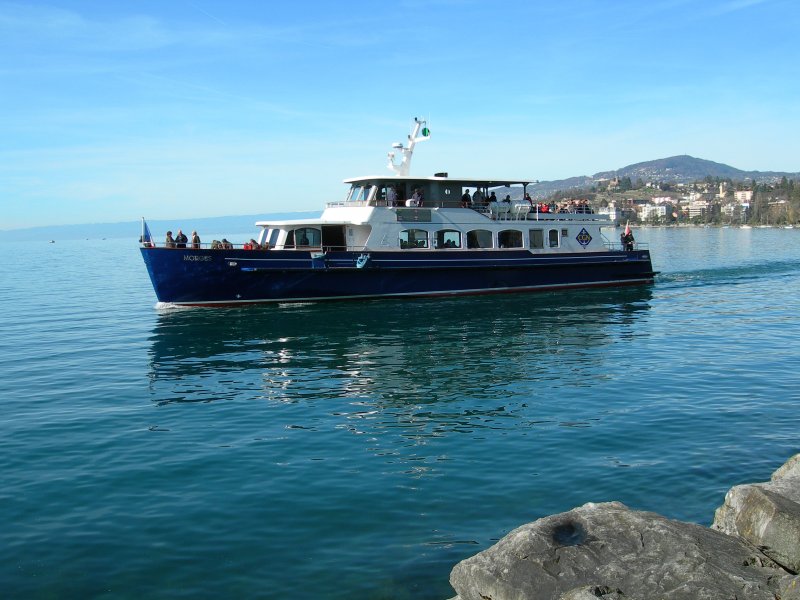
(609, 551)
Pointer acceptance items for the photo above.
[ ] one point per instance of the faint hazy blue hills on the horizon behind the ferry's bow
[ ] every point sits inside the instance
(133, 229)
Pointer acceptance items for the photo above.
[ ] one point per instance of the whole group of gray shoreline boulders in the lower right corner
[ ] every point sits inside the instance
(608, 551)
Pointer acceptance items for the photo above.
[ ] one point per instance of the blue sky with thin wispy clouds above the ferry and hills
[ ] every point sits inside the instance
(114, 110)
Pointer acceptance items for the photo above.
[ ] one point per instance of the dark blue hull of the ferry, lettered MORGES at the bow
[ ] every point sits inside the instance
(220, 277)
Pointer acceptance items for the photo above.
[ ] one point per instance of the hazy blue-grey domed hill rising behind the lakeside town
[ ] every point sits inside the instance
(675, 169)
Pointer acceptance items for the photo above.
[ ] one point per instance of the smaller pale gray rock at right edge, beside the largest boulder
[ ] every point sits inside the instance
(767, 515)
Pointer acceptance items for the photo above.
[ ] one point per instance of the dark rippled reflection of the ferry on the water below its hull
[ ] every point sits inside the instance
(390, 352)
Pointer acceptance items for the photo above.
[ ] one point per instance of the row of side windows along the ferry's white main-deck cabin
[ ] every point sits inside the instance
(479, 238)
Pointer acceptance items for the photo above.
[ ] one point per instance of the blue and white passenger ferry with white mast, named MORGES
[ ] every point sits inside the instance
(403, 236)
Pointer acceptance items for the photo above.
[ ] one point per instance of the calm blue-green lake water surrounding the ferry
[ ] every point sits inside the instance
(361, 449)
